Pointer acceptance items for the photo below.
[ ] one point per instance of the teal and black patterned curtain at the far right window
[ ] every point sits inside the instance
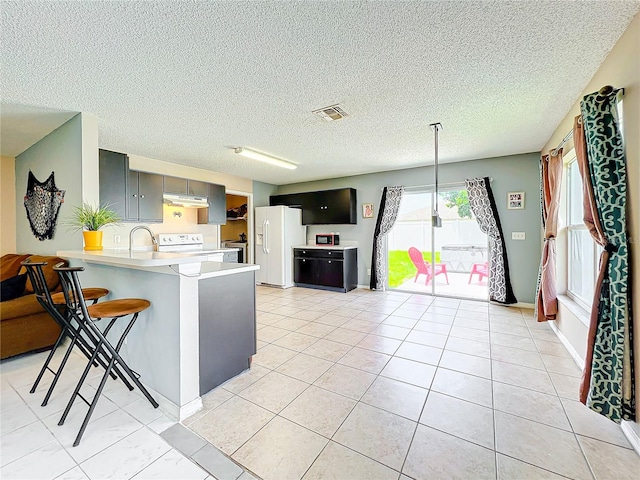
(608, 386)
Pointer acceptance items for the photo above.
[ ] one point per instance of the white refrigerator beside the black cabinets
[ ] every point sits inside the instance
(277, 229)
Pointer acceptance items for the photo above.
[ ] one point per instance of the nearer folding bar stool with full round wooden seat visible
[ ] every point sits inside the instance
(86, 317)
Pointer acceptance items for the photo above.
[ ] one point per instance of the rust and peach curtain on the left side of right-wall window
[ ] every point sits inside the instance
(551, 180)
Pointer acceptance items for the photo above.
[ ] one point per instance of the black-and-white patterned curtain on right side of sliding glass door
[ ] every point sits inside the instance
(484, 208)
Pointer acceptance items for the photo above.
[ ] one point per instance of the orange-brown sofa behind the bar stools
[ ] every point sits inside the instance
(24, 325)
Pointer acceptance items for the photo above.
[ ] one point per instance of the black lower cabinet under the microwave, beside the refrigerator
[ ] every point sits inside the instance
(335, 270)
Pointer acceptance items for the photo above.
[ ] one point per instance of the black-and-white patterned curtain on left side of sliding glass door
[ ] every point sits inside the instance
(387, 214)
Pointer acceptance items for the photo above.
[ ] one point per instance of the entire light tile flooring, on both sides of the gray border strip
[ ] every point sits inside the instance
(350, 386)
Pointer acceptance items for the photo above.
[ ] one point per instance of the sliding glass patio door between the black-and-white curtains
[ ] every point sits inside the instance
(455, 255)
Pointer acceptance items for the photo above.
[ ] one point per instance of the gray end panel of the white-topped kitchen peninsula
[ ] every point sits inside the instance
(227, 327)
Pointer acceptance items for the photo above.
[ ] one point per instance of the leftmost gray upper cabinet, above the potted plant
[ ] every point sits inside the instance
(113, 171)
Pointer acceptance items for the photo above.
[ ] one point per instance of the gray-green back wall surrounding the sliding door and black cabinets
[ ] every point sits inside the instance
(510, 173)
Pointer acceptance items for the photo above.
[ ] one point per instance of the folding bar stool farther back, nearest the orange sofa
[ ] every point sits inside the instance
(51, 304)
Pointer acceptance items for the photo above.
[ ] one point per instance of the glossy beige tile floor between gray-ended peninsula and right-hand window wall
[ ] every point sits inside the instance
(372, 385)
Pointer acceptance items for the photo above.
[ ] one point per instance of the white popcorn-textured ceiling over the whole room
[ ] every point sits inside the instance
(187, 81)
